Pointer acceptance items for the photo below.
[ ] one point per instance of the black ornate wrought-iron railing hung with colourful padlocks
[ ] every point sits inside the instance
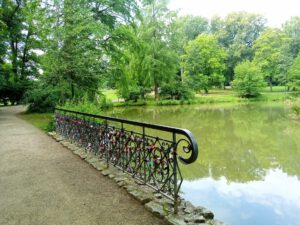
(149, 158)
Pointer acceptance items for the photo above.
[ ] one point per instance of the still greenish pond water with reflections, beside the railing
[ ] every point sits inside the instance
(248, 169)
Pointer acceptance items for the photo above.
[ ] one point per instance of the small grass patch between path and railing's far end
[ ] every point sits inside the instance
(43, 121)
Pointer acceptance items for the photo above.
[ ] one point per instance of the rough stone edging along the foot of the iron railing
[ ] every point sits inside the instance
(154, 202)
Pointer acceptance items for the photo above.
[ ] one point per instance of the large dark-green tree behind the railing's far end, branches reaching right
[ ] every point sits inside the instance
(80, 38)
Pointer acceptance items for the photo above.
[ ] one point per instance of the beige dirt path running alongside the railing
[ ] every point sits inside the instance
(43, 183)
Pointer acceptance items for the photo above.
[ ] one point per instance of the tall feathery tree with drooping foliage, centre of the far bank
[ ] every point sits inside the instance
(150, 60)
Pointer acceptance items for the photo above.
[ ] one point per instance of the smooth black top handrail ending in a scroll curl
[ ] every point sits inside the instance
(185, 132)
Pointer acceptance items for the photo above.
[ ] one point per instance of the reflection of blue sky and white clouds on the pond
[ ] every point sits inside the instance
(255, 202)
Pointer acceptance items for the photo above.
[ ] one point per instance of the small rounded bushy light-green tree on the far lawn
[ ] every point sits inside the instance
(248, 79)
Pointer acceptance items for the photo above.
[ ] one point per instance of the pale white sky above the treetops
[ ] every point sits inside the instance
(276, 11)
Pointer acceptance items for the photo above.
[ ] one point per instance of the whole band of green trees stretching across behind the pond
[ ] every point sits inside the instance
(53, 51)
